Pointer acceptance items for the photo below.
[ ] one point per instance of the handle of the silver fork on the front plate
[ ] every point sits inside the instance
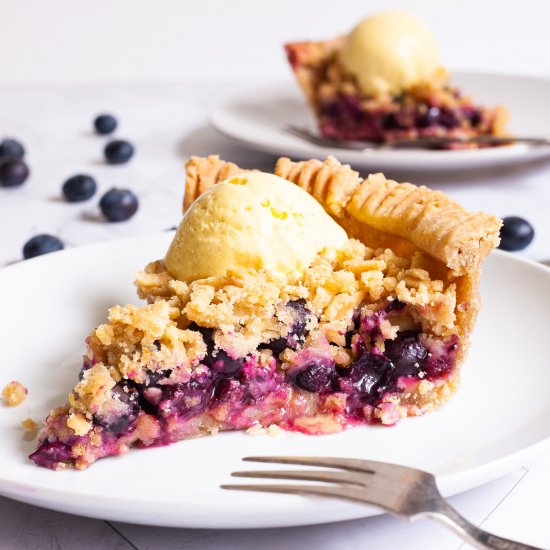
(472, 534)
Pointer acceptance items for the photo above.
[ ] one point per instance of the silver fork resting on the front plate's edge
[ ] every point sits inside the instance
(402, 491)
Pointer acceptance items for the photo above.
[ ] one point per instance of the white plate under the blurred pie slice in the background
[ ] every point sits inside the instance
(256, 118)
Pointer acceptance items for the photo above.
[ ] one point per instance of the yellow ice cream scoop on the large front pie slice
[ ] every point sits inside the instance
(253, 220)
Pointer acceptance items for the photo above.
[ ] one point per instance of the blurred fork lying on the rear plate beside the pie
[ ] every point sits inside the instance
(423, 143)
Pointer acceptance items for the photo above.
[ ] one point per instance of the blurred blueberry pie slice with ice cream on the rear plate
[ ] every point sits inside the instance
(383, 81)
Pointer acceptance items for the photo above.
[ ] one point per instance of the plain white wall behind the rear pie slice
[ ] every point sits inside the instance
(167, 40)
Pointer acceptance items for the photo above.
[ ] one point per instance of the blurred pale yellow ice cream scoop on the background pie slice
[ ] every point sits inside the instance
(390, 52)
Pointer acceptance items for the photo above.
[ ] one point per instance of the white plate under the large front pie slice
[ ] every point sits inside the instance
(499, 418)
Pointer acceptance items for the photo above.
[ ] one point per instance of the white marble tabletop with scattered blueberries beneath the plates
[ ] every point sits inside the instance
(167, 124)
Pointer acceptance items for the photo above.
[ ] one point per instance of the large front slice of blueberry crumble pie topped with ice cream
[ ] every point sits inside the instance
(313, 307)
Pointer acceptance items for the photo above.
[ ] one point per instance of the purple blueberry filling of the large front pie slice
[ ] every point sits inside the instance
(240, 391)
